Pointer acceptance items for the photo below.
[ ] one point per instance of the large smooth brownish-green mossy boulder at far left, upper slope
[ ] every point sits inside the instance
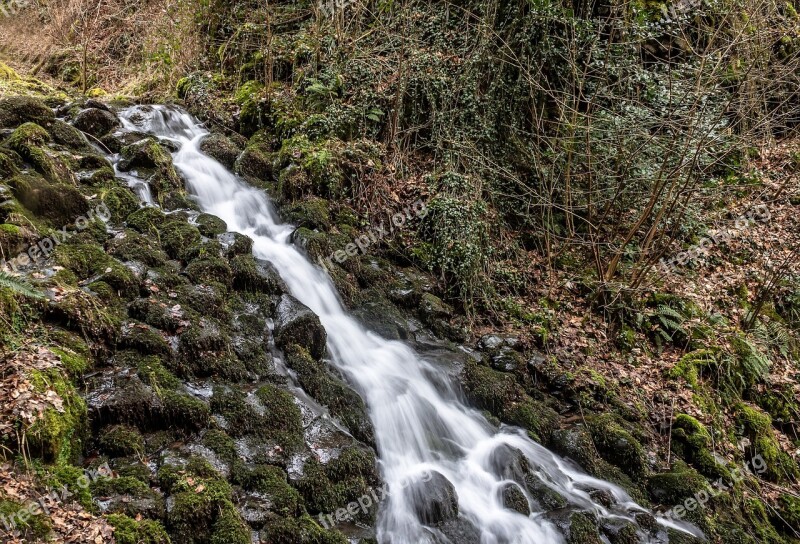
(57, 203)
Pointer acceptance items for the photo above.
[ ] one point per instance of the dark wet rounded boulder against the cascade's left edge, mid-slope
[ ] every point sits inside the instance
(295, 323)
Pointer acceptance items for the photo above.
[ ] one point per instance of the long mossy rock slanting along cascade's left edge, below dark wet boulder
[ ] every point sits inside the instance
(331, 391)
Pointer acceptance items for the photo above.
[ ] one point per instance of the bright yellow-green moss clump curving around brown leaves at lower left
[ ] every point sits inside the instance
(58, 434)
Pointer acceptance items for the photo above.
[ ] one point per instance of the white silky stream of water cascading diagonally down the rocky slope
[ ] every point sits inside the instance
(421, 426)
